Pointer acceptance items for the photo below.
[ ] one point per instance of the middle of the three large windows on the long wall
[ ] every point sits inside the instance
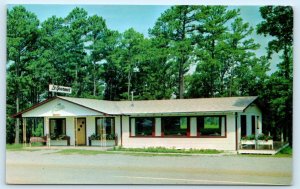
(175, 126)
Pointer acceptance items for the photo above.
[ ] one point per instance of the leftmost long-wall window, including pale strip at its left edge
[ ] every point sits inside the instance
(142, 126)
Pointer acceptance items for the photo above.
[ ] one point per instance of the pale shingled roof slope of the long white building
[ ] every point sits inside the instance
(223, 104)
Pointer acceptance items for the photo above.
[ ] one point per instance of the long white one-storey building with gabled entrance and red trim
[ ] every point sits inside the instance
(203, 123)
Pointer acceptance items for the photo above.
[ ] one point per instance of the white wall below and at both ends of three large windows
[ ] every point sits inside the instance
(227, 143)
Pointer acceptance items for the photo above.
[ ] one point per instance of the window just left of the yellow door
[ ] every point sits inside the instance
(57, 127)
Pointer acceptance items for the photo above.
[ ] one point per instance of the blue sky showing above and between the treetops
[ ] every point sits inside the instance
(143, 17)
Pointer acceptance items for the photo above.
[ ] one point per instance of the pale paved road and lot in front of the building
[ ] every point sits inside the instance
(46, 167)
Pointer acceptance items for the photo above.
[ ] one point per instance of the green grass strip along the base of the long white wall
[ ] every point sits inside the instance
(167, 150)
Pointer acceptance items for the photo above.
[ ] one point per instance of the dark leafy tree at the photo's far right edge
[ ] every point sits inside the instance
(278, 23)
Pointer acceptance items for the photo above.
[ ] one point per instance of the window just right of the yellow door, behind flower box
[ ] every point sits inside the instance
(105, 126)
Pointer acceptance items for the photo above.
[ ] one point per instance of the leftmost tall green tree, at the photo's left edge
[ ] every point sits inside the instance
(22, 33)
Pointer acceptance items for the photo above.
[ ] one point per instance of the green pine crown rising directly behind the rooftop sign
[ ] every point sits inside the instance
(52, 55)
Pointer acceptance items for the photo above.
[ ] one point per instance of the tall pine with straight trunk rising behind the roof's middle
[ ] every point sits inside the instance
(176, 25)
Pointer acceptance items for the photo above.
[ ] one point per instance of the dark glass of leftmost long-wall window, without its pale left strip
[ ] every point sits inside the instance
(144, 126)
